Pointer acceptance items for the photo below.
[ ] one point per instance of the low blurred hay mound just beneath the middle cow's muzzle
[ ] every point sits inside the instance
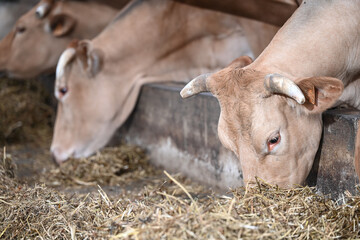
(113, 166)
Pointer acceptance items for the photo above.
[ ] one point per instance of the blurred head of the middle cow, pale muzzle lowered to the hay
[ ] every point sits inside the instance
(91, 105)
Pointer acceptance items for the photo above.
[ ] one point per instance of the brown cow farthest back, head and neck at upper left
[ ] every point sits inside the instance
(40, 36)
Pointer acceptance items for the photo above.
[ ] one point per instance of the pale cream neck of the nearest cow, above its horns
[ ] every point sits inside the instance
(310, 44)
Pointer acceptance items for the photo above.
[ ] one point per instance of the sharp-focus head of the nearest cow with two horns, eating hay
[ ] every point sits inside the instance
(272, 123)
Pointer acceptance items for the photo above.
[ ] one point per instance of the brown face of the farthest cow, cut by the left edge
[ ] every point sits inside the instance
(37, 40)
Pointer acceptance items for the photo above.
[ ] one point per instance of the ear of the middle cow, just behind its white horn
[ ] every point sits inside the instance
(91, 59)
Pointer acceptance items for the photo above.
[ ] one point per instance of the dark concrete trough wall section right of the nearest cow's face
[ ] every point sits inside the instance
(333, 171)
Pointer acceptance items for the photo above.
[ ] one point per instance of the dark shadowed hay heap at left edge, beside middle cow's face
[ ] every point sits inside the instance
(25, 116)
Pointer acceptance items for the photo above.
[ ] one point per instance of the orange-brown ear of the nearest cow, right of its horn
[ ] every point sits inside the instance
(320, 93)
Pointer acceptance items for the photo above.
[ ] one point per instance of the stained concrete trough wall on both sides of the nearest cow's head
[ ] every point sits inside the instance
(181, 136)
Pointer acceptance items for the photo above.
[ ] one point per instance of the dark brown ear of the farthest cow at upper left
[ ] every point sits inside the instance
(62, 24)
